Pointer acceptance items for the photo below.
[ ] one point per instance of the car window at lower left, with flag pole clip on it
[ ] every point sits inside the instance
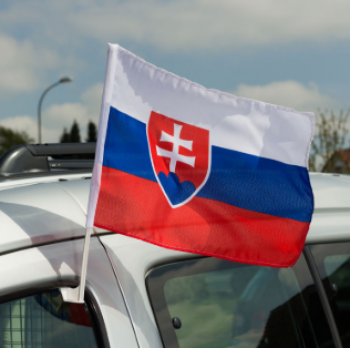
(45, 321)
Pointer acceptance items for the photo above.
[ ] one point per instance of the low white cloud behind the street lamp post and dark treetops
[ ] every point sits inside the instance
(59, 116)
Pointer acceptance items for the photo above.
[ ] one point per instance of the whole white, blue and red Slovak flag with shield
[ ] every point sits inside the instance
(198, 170)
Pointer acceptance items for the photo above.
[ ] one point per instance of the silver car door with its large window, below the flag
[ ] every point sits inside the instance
(201, 302)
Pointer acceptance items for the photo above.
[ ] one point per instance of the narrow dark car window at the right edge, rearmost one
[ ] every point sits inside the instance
(333, 263)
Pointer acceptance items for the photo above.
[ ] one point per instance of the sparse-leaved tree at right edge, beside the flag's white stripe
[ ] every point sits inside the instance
(331, 135)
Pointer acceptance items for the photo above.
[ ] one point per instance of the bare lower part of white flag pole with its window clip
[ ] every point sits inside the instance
(76, 295)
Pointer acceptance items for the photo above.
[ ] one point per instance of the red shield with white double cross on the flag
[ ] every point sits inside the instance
(180, 155)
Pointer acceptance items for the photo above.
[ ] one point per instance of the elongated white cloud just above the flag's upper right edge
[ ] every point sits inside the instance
(288, 93)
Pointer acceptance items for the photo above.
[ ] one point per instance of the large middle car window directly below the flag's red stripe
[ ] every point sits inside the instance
(221, 304)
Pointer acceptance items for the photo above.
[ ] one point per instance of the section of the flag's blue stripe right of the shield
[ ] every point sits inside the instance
(259, 184)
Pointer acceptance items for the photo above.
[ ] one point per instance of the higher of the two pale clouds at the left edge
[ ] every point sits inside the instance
(22, 65)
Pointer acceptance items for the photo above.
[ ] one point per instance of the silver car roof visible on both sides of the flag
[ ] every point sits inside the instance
(40, 210)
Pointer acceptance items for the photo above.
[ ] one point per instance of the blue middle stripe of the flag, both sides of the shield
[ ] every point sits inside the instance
(245, 181)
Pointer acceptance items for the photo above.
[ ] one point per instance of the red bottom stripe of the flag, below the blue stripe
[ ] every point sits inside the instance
(137, 207)
